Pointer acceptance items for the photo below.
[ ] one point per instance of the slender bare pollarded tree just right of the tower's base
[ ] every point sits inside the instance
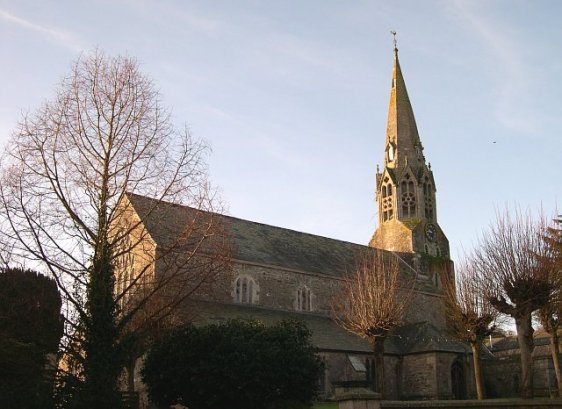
(471, 316)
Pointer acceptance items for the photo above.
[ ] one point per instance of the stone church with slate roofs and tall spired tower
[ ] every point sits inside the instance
(279, 273)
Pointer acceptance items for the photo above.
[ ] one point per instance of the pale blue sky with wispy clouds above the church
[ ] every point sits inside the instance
(292, 96)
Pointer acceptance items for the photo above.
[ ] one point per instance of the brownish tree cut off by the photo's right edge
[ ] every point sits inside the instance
(550, 315)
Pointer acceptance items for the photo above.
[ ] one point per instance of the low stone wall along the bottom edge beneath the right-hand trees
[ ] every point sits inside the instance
(487, 404)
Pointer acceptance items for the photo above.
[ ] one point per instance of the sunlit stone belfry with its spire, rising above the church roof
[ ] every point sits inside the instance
(405, 188)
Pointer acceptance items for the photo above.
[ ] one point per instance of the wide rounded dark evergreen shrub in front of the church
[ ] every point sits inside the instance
(236, 364)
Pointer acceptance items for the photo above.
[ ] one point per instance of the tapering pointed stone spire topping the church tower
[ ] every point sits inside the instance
(402, 139)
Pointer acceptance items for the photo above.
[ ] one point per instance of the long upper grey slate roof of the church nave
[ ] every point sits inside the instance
(256, 242)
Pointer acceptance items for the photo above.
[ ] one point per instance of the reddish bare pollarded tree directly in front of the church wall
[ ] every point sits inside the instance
(371, 302)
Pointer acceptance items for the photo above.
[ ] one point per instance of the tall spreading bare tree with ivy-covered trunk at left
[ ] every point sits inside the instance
(66, 209)
